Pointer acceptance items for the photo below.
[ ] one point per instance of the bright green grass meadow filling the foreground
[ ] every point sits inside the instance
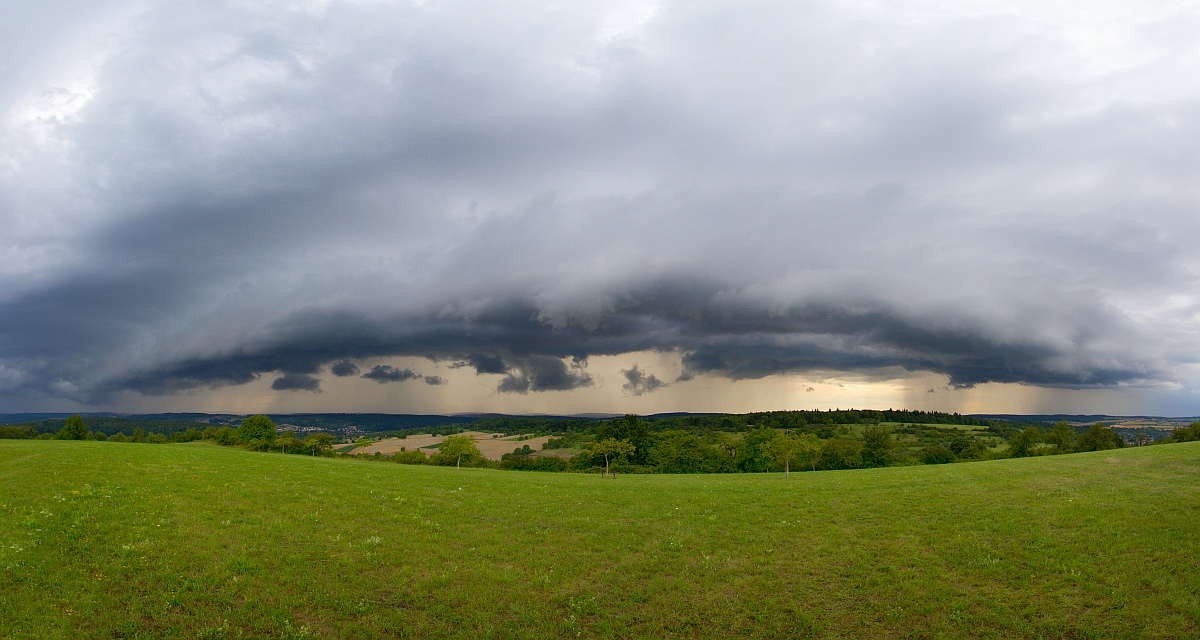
(193, 541)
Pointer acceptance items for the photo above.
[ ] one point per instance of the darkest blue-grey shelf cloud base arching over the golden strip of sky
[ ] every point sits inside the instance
(715, 337)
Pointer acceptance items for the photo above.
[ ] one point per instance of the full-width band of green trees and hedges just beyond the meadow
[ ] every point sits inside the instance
(632, 445)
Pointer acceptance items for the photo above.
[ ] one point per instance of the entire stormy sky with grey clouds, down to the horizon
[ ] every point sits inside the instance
(440, 207)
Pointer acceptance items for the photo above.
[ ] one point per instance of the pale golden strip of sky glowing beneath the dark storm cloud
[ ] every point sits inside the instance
(467, 392)
